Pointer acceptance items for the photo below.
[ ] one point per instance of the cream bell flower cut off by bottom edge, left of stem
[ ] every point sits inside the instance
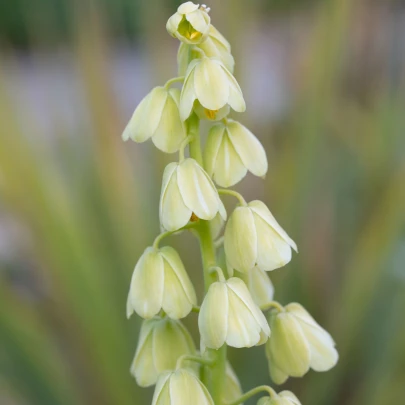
(180, 387)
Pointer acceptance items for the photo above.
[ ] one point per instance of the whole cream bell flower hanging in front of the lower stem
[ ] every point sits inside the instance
(229, 315)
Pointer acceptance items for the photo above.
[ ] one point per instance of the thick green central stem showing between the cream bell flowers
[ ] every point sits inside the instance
(213, 376)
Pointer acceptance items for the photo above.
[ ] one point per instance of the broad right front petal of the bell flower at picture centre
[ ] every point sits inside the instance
(197, 190)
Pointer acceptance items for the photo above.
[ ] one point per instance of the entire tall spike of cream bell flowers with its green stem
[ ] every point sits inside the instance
(161, 291)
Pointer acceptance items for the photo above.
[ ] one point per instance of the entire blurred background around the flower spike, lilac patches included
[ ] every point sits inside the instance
(324, 83)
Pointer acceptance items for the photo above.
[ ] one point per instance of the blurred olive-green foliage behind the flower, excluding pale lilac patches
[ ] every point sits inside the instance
(85, 207)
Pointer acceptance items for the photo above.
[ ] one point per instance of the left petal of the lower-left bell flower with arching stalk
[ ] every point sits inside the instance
(147, 301)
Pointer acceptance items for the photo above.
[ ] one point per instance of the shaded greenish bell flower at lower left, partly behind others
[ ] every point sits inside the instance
(161, 342)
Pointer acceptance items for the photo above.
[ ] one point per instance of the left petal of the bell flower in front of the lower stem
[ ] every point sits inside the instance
(213, 316)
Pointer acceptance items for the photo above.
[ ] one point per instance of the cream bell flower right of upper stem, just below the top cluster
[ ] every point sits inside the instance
(231, 151)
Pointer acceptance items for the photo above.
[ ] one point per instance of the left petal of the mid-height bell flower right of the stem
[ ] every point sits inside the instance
(240, 240)
